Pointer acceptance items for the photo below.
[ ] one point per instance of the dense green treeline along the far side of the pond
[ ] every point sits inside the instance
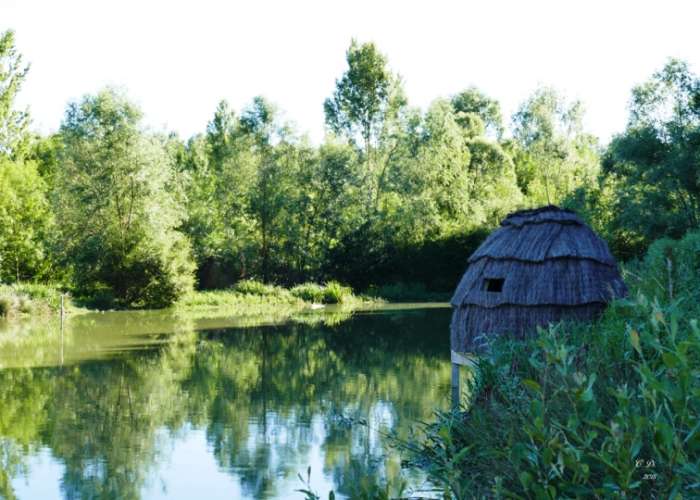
(393, 194)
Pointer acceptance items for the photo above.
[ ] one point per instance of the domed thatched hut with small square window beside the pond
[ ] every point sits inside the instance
(540, 266)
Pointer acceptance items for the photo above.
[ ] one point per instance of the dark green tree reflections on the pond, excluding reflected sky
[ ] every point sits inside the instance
(266, 397)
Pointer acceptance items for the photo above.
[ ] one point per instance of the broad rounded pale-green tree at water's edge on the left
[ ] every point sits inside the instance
(117, 211)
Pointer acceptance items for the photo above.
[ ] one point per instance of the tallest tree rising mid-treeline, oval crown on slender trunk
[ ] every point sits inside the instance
(364, 109)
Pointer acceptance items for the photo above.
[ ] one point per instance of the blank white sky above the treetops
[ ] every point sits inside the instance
(177, 59)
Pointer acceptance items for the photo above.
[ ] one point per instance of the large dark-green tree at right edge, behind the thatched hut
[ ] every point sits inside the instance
(656, 160)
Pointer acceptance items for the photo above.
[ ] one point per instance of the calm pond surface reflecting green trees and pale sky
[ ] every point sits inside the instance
(153, 405)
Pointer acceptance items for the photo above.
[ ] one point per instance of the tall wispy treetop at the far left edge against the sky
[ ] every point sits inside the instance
(13, 123)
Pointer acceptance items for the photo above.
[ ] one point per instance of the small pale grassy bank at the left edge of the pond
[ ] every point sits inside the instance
(25, 299)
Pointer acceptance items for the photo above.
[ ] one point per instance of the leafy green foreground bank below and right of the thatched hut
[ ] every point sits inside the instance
(603, 410)
